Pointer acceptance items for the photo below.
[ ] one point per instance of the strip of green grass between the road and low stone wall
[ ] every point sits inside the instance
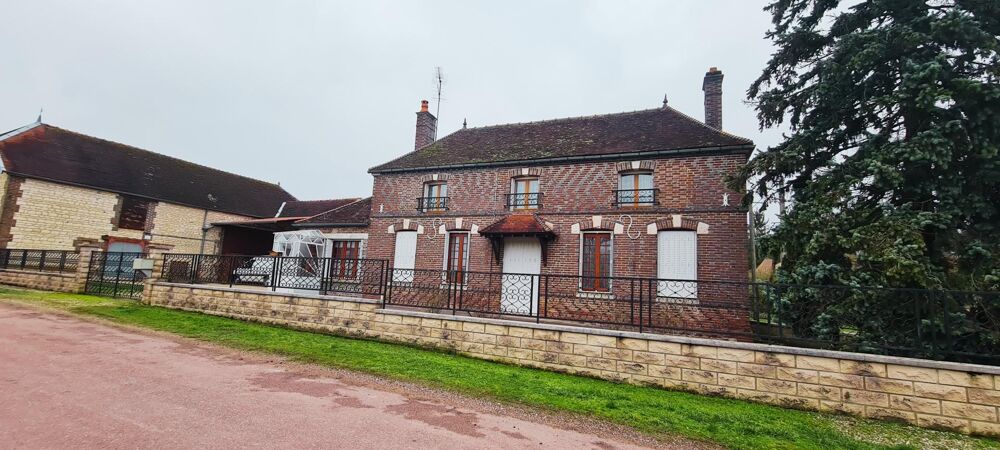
(728, 422)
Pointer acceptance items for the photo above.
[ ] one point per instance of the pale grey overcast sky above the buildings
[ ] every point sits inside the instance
(312, 94)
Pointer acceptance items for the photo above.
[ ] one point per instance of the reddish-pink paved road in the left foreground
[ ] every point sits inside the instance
(70, 383)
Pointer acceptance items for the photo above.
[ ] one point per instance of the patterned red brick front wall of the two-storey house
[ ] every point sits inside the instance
(690, 186)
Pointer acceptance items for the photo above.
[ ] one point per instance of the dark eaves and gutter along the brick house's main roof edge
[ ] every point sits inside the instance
(727, 149)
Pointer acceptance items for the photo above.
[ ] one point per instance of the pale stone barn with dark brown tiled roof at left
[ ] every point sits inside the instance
(61, 188)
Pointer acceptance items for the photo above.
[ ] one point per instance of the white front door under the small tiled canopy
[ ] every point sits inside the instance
(522, 262)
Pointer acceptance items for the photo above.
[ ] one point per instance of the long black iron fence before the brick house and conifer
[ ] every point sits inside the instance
(950, 325)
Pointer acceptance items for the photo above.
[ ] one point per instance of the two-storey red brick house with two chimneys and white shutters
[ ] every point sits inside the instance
(595, 198)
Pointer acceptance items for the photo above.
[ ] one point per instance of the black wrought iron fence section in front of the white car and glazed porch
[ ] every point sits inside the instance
(346, 276)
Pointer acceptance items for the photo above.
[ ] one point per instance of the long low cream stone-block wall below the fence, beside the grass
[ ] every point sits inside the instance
(954, 396)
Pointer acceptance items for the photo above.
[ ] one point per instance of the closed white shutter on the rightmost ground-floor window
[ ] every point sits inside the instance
(676, 261)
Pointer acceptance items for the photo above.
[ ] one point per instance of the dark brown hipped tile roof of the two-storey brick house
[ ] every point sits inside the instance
(650, 130)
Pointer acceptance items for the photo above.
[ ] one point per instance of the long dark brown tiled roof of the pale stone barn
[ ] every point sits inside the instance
(50, 153)
